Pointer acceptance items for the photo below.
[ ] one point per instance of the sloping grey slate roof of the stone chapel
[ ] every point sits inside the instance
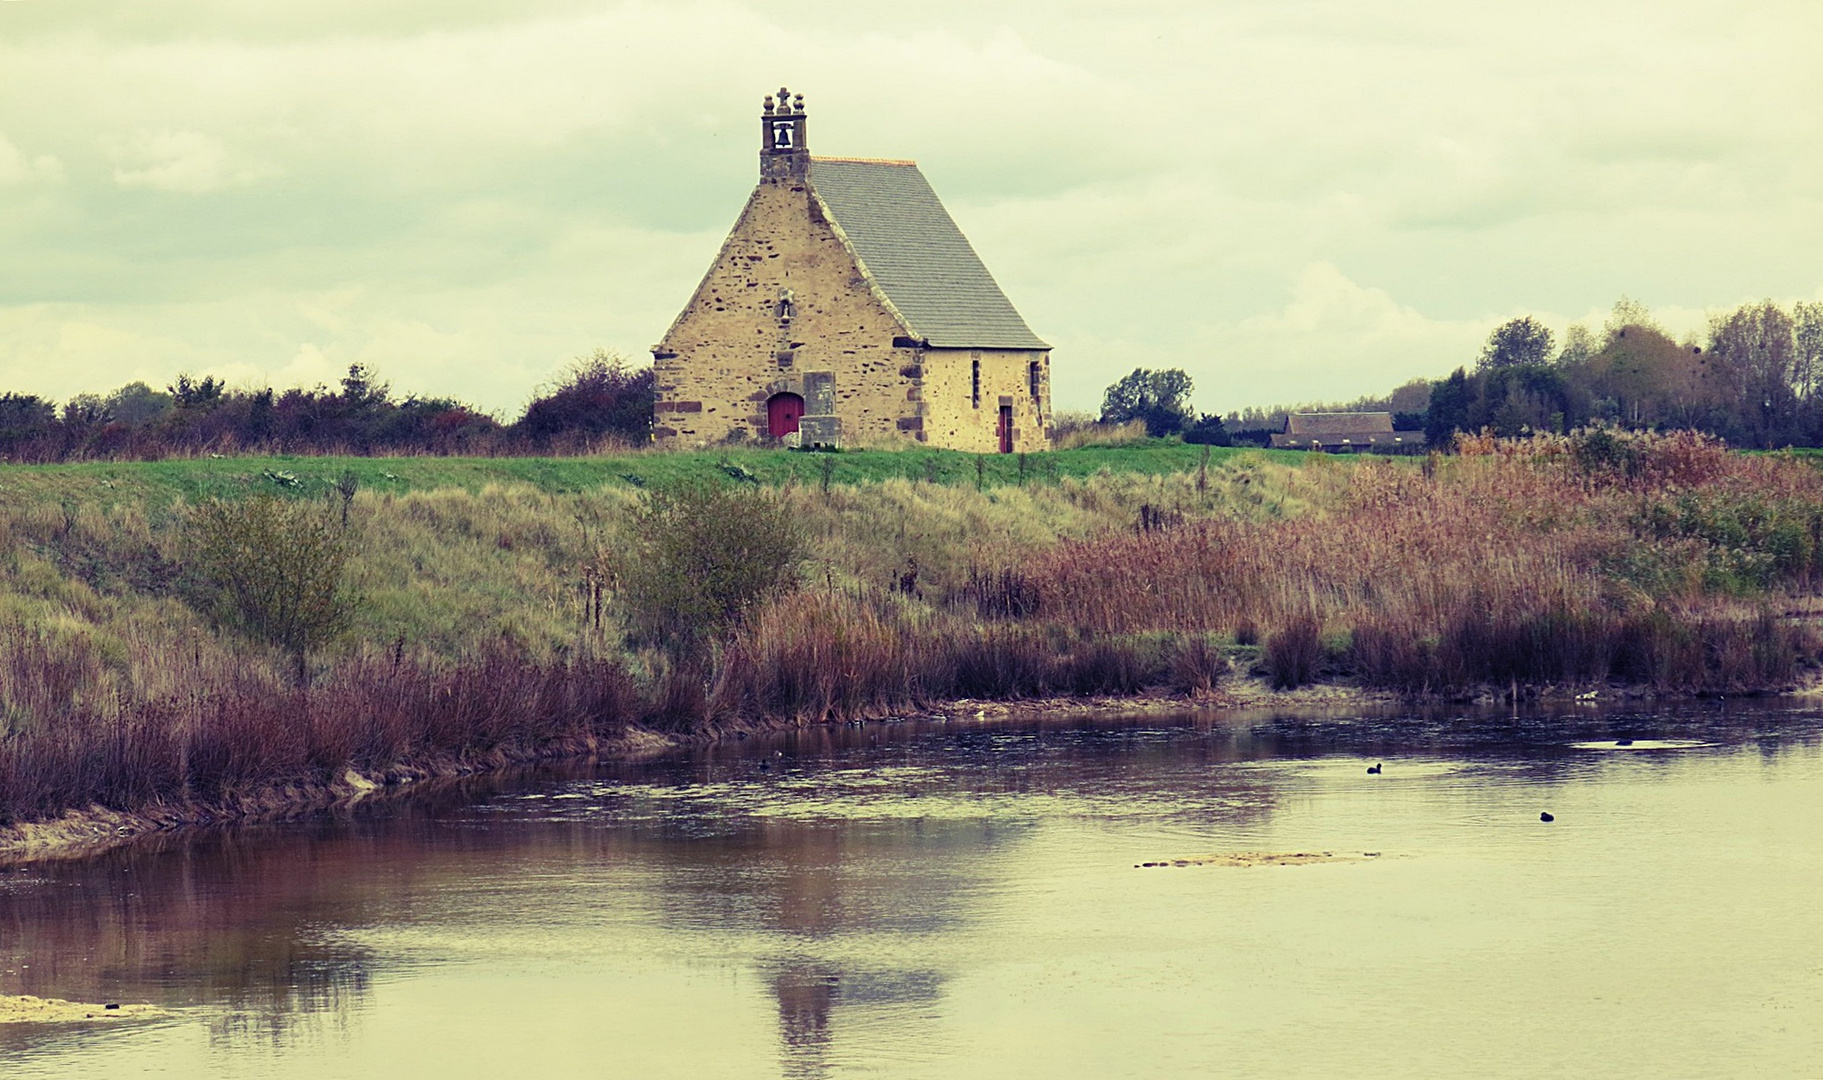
(916, 254)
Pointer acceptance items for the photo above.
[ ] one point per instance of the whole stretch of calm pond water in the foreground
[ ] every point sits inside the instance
(927, 900)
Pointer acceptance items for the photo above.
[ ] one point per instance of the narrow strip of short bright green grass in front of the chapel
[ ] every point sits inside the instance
(196, 479)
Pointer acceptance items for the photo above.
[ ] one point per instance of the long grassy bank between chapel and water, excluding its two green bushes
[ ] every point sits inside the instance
(493, 619)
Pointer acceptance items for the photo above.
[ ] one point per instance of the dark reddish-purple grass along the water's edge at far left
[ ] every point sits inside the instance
(234, 736)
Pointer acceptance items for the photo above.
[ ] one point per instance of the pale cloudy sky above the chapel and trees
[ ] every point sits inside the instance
(1292, 200)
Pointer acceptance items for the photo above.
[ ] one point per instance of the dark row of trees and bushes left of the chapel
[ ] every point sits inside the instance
(597, 402)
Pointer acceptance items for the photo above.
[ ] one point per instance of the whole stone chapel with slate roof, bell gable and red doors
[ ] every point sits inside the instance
(849, 309)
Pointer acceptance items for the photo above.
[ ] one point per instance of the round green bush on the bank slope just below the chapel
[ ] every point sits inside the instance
(703, 556)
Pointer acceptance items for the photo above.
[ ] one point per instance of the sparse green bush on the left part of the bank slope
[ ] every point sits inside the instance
(273, 570)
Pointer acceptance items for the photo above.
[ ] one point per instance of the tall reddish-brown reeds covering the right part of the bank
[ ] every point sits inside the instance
(1527, 563)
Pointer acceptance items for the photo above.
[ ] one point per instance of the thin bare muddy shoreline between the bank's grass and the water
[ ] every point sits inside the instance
(88, 833)
